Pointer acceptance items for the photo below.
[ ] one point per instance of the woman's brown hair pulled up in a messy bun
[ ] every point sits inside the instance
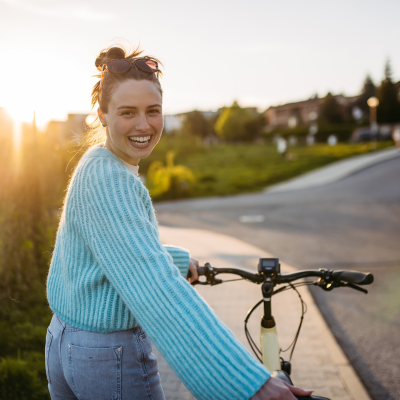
(118, 52)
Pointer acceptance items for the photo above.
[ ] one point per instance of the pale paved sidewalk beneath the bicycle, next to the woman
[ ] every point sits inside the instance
(318, 362)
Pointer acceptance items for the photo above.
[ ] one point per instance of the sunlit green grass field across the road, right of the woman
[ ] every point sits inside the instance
(232, 169)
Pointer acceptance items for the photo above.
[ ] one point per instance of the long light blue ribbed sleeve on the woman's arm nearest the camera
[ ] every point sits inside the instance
(116, 221)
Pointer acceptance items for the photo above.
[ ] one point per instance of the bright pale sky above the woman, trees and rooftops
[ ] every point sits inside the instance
(214, 51)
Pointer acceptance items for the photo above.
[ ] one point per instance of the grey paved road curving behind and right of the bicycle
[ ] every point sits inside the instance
(351, 224)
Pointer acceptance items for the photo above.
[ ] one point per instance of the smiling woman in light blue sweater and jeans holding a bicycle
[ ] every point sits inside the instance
(111, 281)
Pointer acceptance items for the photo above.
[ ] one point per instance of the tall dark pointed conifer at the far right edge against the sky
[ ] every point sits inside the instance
(389, 105)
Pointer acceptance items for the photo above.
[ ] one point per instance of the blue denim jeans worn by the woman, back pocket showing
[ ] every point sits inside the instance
(88, 365)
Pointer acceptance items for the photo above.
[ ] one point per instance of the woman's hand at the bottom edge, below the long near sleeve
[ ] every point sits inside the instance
(276, 389)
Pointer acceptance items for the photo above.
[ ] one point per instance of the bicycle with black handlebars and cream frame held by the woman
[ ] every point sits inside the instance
(269, 275)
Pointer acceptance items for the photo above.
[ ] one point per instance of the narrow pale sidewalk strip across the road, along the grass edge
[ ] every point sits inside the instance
(335, 172)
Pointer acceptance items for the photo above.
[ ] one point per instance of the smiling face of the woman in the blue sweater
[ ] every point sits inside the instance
(134, 120)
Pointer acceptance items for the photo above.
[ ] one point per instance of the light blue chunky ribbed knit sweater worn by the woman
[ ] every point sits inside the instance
(110, 272)
